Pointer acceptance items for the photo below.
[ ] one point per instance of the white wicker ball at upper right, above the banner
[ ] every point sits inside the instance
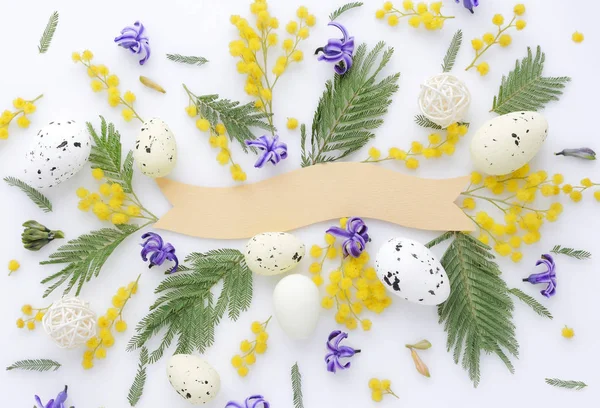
(444, 99)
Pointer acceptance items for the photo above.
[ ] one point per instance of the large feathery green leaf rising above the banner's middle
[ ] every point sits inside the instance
(351, 107)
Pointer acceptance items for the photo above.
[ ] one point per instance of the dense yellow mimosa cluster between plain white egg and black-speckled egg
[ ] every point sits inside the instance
(352, 287)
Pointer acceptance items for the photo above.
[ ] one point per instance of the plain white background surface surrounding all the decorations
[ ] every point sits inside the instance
(201, 27)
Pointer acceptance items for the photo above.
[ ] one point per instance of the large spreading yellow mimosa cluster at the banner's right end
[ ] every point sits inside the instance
(514, 197)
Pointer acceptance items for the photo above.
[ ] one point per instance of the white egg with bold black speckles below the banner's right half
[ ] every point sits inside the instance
(409, 270)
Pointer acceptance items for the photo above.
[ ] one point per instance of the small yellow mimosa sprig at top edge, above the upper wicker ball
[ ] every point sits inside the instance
(420, 13)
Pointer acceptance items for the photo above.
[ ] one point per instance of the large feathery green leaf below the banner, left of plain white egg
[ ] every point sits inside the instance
(186, 310)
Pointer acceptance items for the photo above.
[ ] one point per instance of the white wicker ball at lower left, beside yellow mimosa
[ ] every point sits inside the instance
(70, 322)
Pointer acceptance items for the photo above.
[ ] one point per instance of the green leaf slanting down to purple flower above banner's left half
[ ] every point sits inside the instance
(238, 119)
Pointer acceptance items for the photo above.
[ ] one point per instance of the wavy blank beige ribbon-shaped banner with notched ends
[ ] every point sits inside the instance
(314, 194)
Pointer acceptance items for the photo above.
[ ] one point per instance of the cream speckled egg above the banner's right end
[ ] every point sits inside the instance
(508, 142)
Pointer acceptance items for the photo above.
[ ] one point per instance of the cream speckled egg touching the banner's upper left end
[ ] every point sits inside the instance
(155, 149)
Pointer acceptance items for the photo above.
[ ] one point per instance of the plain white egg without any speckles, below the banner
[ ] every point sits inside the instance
(296, 304)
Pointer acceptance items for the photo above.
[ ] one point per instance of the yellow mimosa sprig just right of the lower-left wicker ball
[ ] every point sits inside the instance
(113, 319)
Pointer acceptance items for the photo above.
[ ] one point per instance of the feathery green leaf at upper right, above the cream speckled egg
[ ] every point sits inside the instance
(525, 89)
